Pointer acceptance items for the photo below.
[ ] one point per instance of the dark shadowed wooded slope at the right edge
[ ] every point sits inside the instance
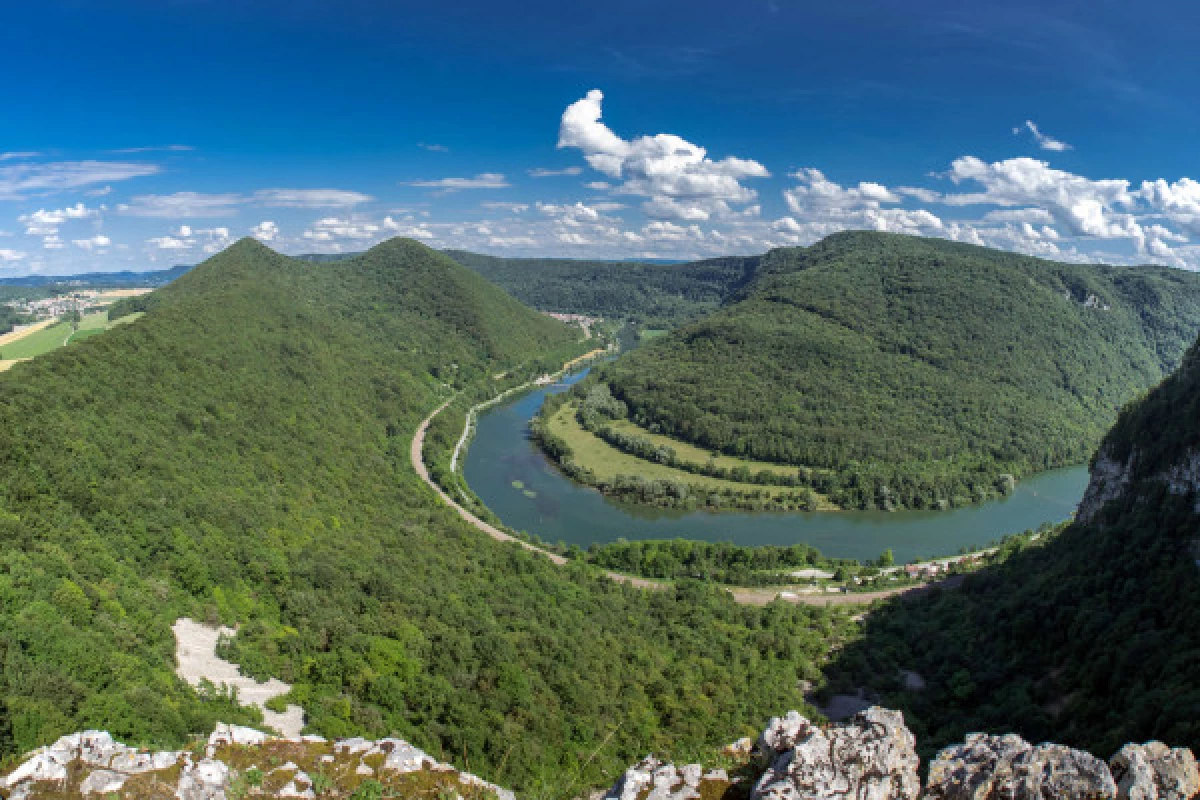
(1091, 639)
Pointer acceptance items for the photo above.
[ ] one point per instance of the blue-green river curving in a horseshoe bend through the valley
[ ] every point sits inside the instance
(550, 506)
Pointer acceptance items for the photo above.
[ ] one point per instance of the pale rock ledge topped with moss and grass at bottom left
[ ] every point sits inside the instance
(244, 763)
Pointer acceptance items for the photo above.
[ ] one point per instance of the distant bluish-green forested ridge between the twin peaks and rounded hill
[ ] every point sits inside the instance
(652, 294)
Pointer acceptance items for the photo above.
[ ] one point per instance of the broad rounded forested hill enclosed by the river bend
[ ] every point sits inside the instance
(921, 371)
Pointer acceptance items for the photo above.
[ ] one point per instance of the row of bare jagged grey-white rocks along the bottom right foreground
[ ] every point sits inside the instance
(873, 757)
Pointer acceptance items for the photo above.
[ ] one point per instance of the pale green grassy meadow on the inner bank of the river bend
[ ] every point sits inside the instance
(607, 462)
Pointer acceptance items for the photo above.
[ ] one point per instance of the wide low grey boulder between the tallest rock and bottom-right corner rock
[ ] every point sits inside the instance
(1009, 768)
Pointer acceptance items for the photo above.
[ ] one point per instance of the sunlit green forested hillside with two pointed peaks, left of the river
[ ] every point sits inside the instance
(241, 455)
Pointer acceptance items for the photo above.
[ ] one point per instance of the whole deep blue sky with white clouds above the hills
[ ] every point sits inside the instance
(143, 135)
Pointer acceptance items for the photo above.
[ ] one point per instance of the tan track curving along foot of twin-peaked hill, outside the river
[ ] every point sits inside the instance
(745, 597)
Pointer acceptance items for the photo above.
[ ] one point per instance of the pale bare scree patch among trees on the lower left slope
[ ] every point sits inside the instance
(196, 653)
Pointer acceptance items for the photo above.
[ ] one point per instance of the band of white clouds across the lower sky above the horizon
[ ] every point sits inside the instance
(629, 196)
